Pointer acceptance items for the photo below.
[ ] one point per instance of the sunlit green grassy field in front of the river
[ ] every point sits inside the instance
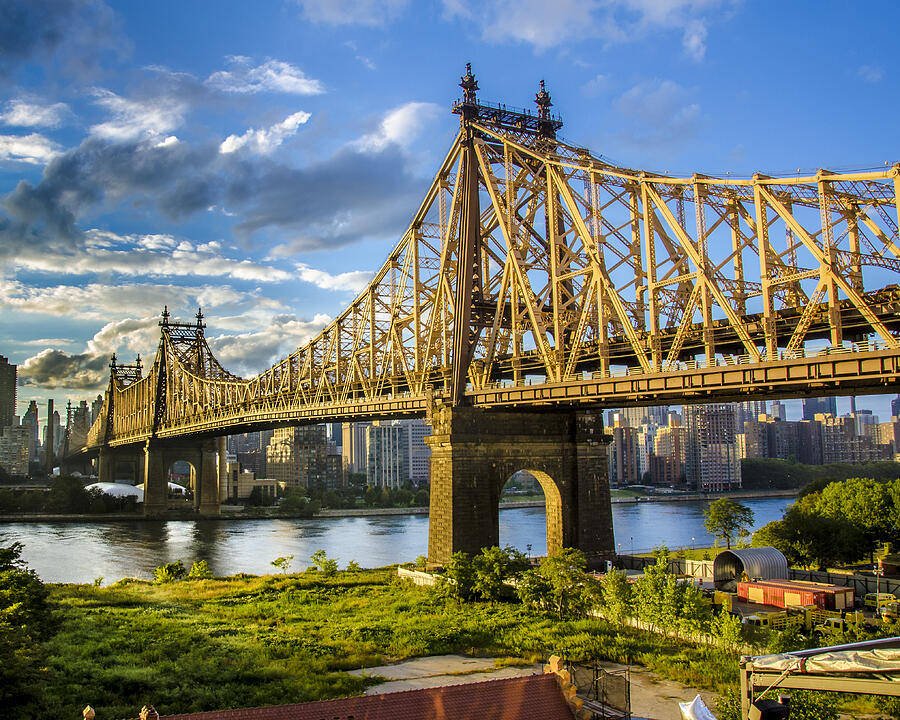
(245, 641)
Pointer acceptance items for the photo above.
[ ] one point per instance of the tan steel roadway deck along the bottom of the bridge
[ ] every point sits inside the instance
(831, 373)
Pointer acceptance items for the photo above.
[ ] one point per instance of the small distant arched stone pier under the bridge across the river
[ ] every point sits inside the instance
(203, 457)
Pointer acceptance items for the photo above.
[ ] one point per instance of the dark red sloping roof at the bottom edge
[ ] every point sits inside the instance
(535, 697)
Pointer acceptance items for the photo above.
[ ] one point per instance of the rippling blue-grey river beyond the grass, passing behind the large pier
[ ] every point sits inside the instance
(80, 552)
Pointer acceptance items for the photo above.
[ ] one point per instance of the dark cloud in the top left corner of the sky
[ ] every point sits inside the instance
(77, 31)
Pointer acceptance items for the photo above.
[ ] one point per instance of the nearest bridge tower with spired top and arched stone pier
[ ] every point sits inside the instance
(474, 451)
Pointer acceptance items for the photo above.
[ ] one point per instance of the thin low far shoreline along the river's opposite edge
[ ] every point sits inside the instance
(237, 512)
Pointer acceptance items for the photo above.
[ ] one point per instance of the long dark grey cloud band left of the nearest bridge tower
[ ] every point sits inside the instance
(353, 194)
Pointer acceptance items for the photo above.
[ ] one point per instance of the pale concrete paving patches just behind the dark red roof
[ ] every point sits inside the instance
(651, 697)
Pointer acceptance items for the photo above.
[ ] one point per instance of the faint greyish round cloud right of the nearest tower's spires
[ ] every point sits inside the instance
(659, 113)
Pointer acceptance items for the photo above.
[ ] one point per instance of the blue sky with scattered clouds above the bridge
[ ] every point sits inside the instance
(259, 159)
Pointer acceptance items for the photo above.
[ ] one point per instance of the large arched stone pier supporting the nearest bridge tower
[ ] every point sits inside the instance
(475, 451)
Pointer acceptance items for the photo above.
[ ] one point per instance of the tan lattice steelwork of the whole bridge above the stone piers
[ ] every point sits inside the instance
(535, 272)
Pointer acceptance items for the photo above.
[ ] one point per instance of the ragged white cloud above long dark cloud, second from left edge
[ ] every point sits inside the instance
(135, 119)
